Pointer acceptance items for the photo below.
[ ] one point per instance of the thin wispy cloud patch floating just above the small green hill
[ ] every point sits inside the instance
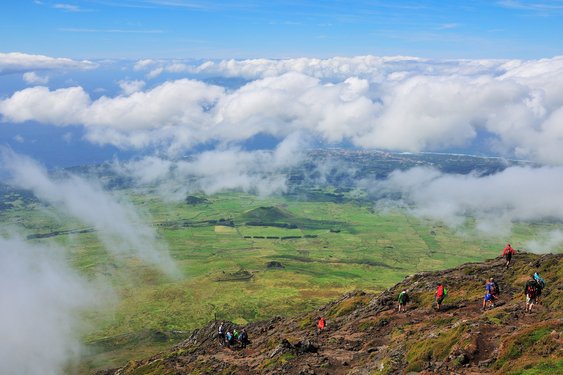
(259, 172)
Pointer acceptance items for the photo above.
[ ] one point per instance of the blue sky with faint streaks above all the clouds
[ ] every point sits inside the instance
(96, 29)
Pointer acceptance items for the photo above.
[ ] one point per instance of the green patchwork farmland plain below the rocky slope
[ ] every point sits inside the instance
(325, 249)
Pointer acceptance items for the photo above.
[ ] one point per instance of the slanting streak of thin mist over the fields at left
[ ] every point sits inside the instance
(119, 226)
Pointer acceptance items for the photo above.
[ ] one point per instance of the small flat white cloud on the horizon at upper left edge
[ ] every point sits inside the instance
(15, 62)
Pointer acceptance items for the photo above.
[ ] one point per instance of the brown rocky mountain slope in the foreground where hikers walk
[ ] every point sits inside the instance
(366, 335)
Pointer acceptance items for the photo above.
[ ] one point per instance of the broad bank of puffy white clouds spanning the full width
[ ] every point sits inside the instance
(408, 104)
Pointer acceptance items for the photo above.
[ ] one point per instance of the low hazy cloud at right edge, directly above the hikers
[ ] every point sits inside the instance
(495, 201)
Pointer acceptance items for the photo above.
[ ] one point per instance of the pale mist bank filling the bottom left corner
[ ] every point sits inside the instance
(41, 298)
